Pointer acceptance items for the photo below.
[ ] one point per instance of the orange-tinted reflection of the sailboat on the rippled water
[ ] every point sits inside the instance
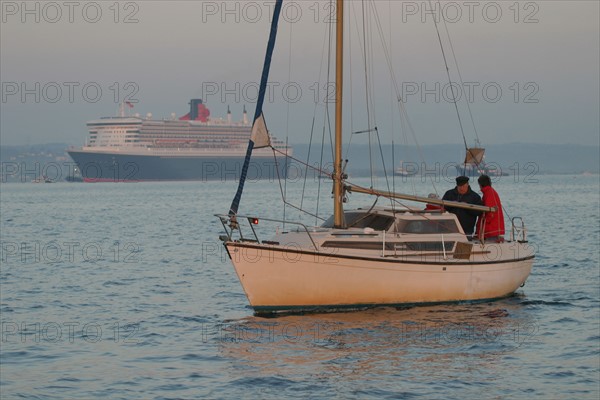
(365, 343)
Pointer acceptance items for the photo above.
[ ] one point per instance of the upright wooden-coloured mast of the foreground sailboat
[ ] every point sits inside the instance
(338, 189)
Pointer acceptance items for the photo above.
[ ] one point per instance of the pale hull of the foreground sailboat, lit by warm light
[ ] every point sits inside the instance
(276, 278)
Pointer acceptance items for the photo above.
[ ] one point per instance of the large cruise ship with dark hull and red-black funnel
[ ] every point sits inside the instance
(131, 148)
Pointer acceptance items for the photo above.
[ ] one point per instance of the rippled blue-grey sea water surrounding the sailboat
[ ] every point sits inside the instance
(123, 291)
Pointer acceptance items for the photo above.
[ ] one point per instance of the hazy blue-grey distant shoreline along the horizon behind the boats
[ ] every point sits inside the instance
(522, 159)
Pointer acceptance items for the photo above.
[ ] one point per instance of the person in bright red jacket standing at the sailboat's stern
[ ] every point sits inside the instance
(490, 226)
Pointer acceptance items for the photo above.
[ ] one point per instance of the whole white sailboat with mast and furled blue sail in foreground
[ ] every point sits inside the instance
(366, 257)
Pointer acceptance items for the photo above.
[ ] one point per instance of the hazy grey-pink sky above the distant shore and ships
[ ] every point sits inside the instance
(531, 68)
